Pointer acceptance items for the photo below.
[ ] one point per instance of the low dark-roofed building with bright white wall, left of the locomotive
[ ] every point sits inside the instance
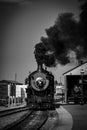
(12, 93)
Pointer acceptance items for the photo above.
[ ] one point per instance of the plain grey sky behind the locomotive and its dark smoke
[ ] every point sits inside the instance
(22, 24)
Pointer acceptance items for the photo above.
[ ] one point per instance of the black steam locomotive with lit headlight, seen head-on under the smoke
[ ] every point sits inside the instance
(40, 89)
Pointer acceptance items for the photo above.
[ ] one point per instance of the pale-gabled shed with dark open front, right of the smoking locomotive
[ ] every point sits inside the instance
(75, 76)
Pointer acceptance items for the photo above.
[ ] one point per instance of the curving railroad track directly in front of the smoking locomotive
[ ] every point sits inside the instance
(32, 121)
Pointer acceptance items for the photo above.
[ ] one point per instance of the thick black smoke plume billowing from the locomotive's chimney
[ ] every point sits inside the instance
(62, 38)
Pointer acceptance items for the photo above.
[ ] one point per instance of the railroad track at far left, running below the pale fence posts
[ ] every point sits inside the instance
(12, 111)
